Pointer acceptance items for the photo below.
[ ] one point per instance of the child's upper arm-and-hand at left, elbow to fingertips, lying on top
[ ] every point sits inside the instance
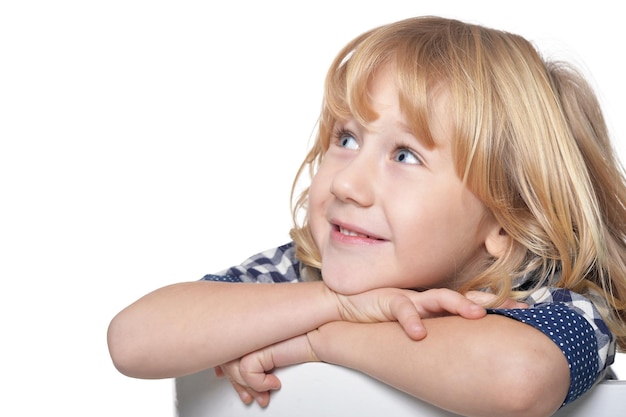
(187, 327)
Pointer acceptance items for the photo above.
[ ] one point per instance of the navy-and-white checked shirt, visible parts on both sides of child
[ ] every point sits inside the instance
(567, 318)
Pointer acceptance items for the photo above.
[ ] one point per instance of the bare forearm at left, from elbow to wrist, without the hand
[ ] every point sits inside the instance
(183, 328)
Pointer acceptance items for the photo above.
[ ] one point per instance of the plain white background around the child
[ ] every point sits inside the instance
(149, 142)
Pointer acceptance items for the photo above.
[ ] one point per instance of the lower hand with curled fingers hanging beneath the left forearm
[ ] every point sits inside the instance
(251, 375)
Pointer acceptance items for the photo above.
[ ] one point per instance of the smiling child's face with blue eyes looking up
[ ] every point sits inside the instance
(386, 211)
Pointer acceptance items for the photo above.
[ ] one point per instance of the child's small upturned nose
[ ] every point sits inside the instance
(355, 182)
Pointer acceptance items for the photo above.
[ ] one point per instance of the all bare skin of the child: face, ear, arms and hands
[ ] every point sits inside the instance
(406, 221)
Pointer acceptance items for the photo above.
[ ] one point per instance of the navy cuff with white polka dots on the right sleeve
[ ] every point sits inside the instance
(572, 333)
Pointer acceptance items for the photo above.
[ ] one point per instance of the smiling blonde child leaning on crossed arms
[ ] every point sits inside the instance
(450, 160)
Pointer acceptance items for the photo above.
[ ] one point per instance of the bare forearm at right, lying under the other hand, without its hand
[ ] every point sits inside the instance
(491, 366)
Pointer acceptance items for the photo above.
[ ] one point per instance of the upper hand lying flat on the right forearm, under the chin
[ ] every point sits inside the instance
(407, 307)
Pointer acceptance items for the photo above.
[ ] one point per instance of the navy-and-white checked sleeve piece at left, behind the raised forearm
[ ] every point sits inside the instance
(273, 265)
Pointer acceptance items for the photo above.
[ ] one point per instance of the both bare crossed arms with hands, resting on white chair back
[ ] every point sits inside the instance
(435, 345)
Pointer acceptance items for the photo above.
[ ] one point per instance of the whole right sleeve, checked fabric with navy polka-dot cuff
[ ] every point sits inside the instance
(574, 324)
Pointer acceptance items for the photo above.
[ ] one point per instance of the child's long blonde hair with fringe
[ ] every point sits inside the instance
(530, 141)
